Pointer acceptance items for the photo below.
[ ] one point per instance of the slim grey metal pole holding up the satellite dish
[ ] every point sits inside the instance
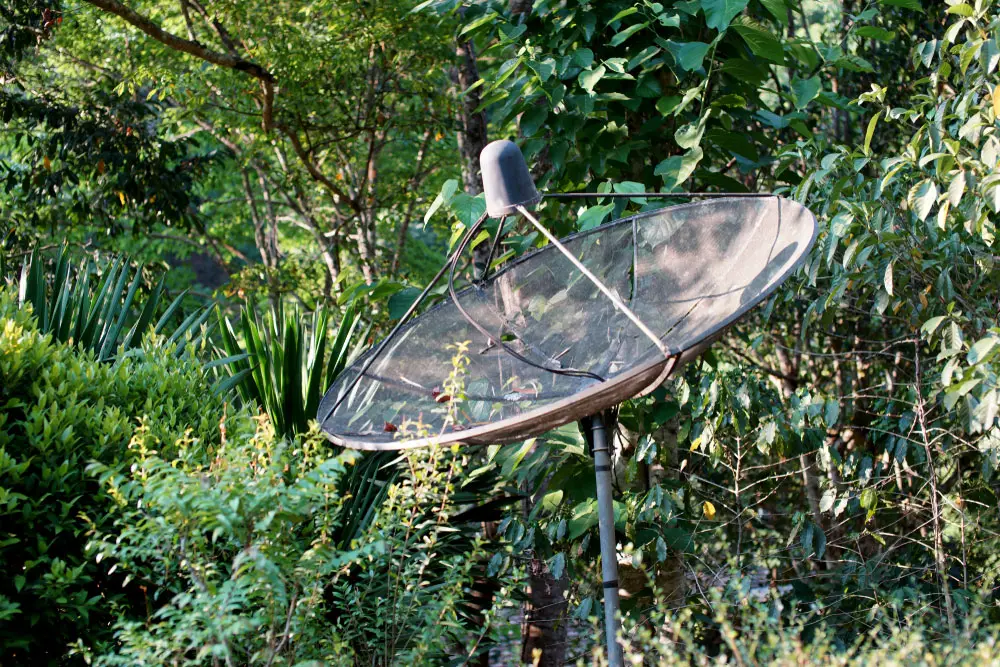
(606, 526)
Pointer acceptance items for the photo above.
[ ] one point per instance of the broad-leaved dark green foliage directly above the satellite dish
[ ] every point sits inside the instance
(629, 76)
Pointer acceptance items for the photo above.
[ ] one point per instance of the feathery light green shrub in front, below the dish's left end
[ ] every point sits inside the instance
(243, 555)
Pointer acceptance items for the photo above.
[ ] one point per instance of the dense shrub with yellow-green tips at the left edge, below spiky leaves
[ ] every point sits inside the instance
(60, 409)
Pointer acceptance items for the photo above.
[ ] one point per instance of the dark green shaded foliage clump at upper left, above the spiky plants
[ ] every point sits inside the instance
(102, 164)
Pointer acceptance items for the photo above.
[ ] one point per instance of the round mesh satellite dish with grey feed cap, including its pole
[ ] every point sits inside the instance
(570, 330)
